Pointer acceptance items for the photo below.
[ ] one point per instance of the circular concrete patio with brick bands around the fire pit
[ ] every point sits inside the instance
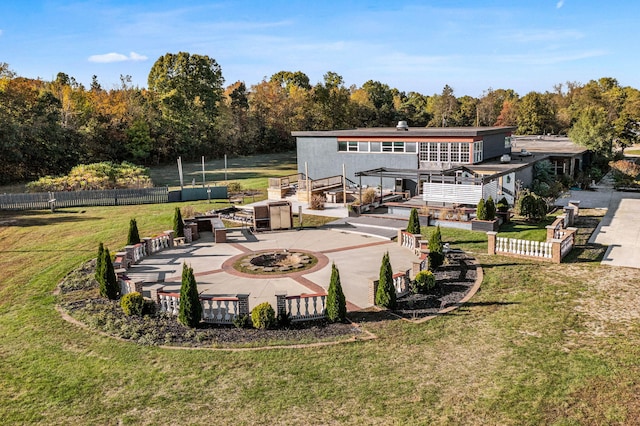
(358, 258)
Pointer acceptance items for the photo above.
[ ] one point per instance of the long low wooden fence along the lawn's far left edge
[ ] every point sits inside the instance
(110, 197)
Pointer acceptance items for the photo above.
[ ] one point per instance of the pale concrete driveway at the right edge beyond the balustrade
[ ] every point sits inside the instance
(620, 227)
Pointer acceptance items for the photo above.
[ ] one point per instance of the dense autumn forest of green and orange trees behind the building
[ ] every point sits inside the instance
(47, 127)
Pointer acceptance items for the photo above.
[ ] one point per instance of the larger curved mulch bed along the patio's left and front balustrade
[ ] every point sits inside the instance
(78, 296)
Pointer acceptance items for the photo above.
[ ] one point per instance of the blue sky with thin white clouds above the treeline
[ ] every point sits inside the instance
(411, 45)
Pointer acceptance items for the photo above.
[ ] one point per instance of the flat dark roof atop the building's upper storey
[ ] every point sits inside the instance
(412, 132)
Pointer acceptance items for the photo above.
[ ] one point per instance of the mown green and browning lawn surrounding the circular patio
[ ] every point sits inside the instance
(538, 344)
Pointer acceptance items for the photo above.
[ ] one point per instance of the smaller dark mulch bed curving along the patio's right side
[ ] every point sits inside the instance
(453, 282)
